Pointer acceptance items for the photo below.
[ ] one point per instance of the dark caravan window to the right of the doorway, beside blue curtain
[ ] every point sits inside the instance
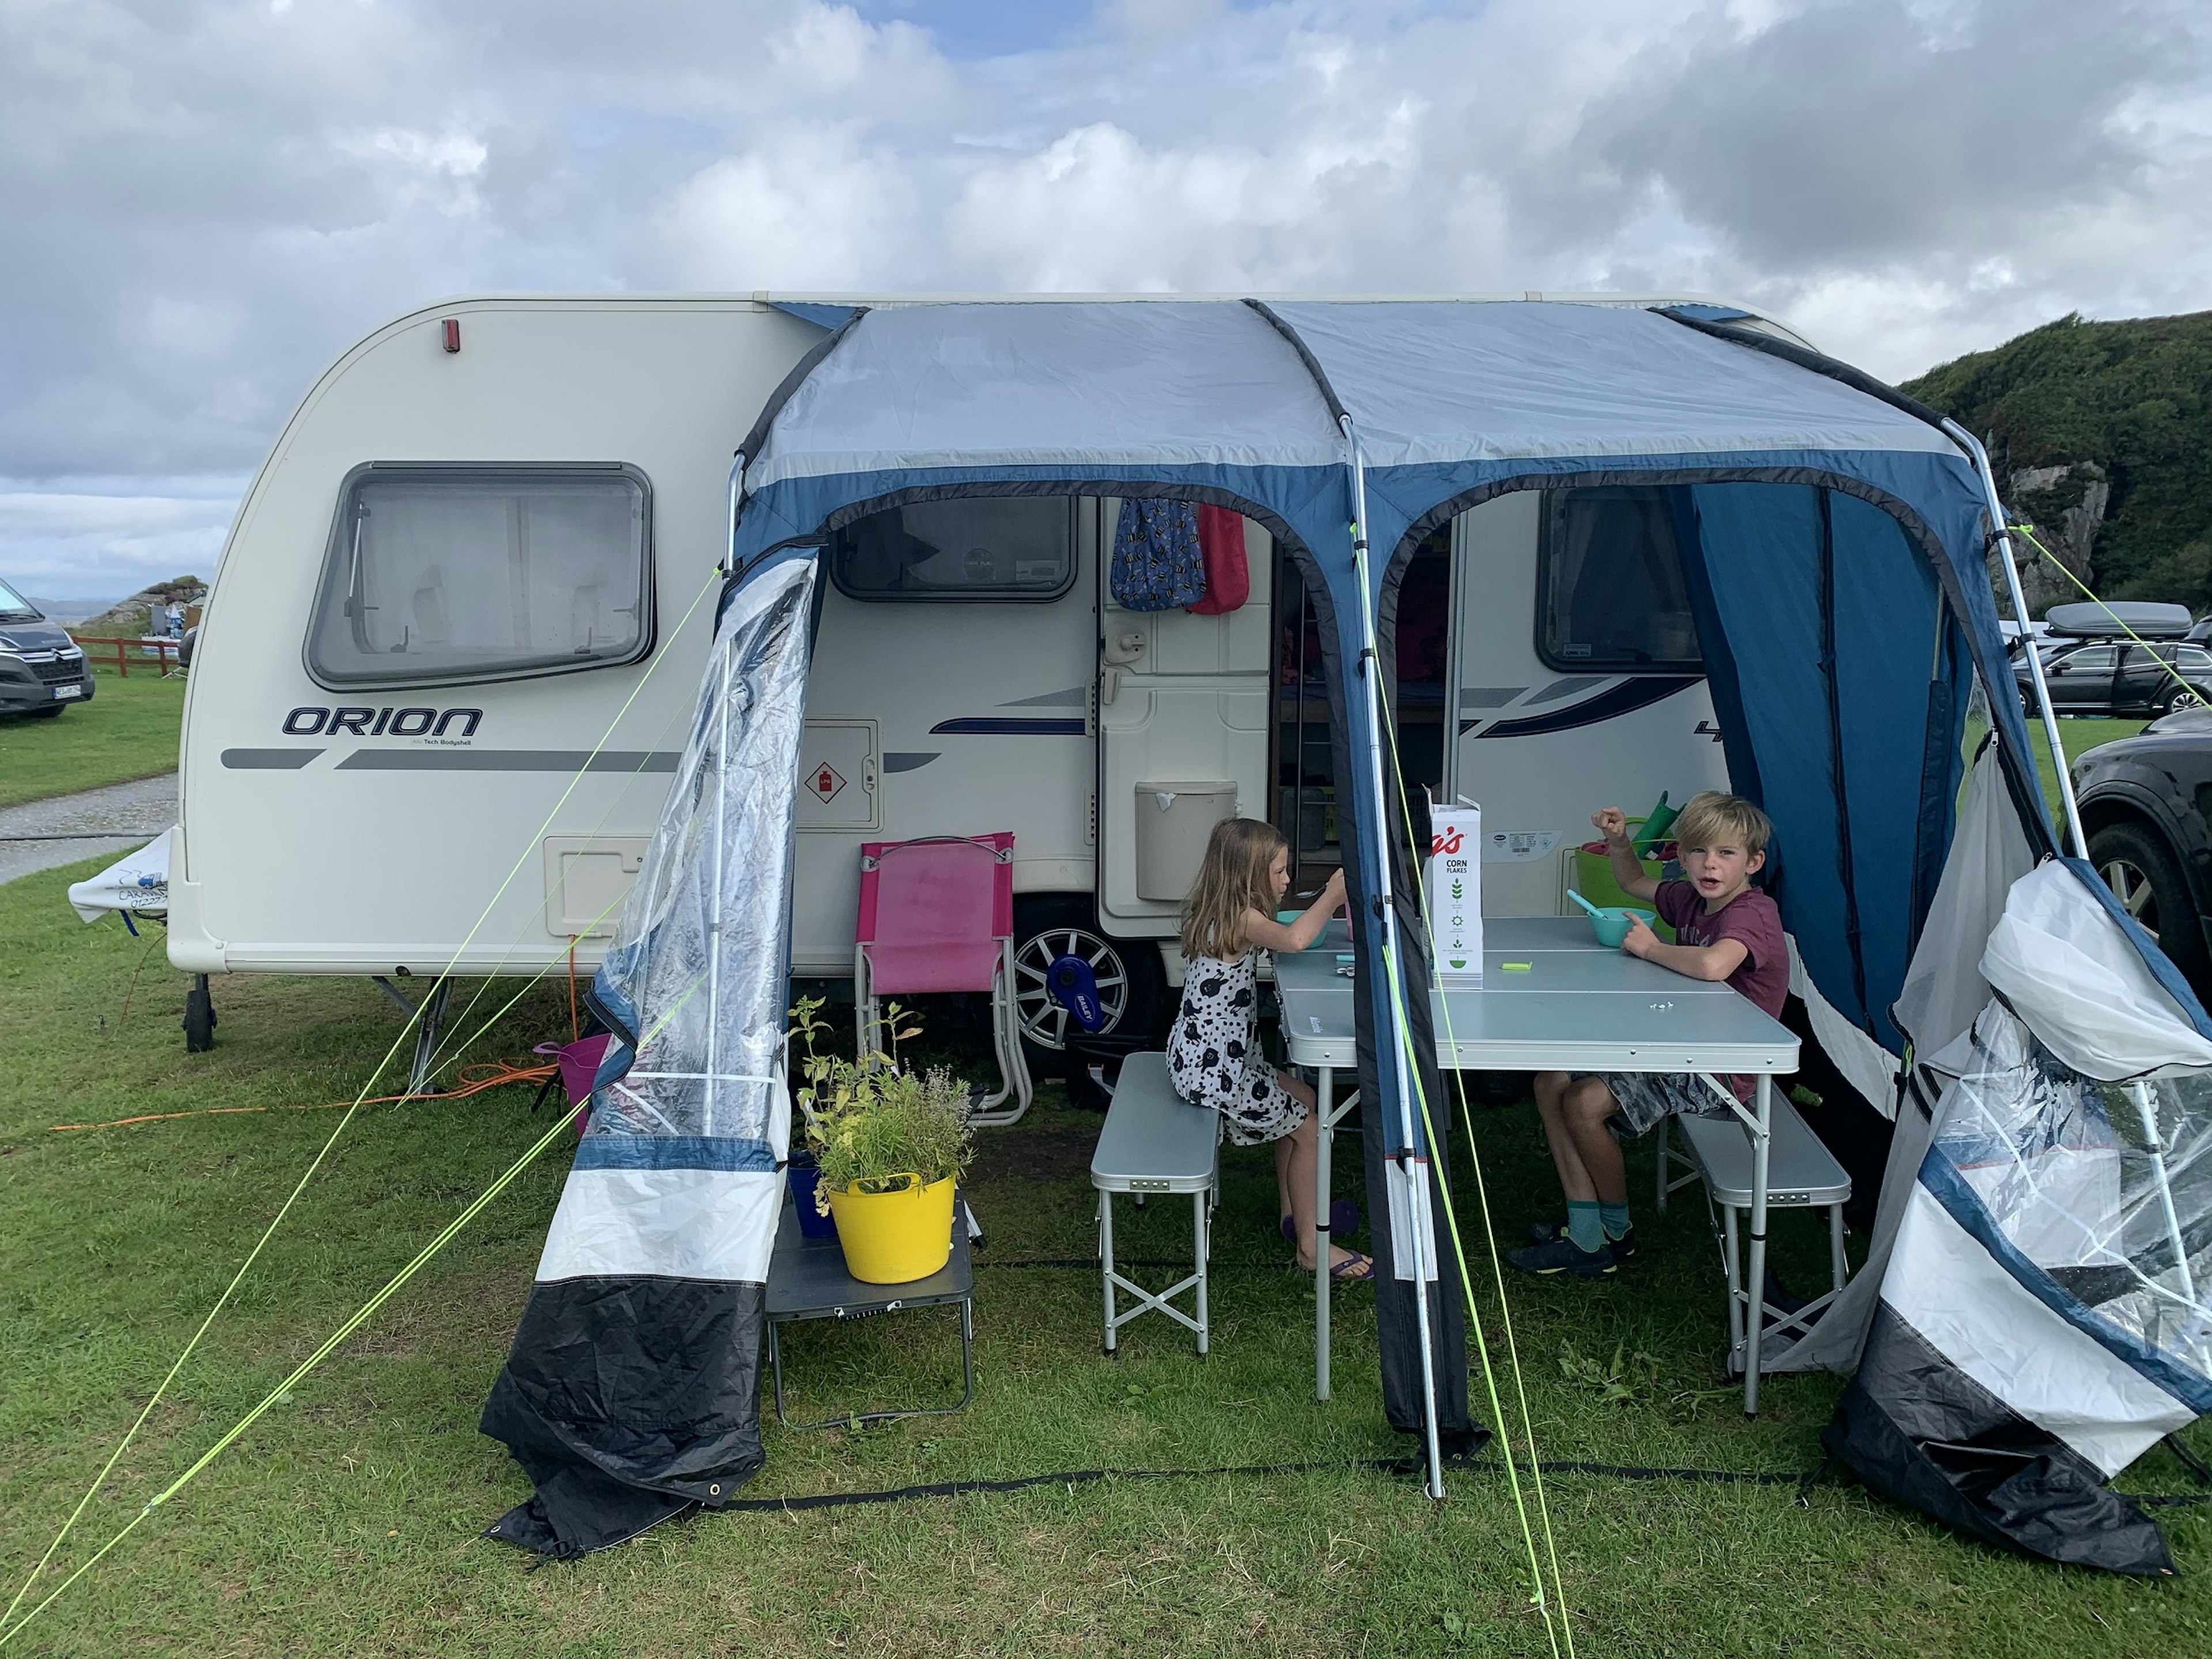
(1611, 598)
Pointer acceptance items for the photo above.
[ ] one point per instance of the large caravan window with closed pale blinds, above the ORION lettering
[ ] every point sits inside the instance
(450, 574)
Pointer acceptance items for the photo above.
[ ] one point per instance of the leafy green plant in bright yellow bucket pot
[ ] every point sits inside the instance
(890, 1142)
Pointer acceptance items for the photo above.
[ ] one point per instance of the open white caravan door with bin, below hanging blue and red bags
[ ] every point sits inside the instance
(1182, 720)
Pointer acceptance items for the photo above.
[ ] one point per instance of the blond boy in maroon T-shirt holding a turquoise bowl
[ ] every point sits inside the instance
(1726, 930)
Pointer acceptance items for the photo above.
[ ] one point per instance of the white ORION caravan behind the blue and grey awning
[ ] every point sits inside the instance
(461, 620)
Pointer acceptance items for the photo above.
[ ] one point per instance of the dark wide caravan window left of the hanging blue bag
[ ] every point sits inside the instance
(977, 547)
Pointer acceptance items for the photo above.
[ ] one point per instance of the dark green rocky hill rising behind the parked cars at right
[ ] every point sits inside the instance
(2103, 437)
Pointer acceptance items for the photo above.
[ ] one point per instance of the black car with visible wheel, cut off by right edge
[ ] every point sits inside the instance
(2145, 806)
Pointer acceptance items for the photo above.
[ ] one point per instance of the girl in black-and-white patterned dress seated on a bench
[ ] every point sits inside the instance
(1213, 1052)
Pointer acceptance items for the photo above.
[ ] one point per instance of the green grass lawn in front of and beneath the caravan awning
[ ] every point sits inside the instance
(348, 1521)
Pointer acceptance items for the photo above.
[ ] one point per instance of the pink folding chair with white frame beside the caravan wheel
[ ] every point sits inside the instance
(937, 915)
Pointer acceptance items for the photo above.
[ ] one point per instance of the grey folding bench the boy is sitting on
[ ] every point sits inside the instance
(1802, 1176)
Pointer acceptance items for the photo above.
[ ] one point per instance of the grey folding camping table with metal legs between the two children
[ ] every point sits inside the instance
(1567, 1005)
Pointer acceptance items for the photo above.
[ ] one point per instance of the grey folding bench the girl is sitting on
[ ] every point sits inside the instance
(1156, 1142)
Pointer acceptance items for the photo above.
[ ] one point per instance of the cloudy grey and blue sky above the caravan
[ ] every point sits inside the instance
(202, 205)
